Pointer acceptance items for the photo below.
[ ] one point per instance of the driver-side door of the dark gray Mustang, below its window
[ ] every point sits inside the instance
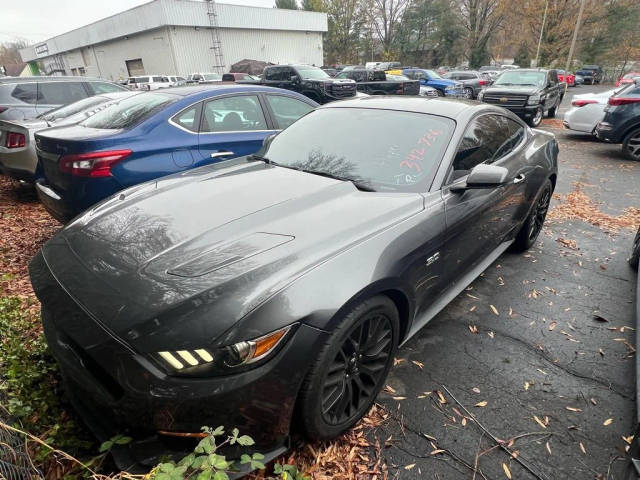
(475, 218)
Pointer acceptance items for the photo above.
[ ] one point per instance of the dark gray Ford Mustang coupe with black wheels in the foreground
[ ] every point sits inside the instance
(270, 292)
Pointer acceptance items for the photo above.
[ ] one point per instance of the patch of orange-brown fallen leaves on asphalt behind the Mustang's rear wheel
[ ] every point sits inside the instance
(577, 205)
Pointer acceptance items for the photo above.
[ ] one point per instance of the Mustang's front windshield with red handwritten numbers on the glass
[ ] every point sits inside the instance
(378, 150)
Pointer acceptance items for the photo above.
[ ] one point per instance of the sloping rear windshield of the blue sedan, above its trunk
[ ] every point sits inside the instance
(130, 111)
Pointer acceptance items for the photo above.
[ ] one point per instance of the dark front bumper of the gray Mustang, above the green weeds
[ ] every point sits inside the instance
(117, 390)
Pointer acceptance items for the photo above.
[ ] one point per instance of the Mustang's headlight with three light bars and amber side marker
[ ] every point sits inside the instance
(226, 360)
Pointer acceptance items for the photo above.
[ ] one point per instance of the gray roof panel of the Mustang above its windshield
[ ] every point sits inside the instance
(445, 107)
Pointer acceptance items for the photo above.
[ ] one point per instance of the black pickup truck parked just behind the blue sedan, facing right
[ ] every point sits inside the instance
(312, 82)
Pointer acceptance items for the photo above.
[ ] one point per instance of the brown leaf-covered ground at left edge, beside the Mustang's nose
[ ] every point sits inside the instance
(24, 227)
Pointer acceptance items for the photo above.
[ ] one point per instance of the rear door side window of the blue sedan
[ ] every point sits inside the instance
(233, 114)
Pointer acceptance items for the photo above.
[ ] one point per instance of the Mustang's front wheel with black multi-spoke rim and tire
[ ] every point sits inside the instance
(344, 369)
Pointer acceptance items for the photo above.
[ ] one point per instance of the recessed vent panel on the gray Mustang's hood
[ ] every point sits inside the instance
(229, 253)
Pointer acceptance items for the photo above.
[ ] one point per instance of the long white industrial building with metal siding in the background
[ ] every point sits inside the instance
(179, 37)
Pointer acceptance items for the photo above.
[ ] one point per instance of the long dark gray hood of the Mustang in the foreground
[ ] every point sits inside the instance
(214, 242)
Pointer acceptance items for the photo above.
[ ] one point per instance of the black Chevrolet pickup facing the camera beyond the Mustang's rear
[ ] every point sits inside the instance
(528, 93)
